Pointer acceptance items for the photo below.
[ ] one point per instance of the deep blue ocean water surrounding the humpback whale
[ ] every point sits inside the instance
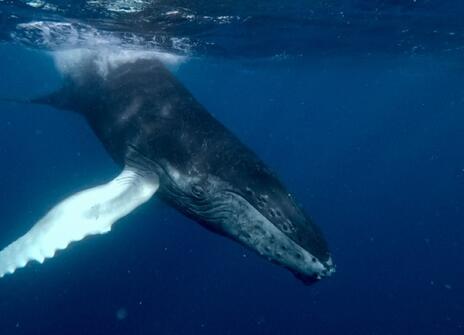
(365, 129)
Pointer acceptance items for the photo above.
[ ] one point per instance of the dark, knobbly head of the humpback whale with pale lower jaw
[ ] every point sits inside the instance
(247, 203)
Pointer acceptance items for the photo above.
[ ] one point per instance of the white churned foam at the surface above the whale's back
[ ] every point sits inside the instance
(72, 44)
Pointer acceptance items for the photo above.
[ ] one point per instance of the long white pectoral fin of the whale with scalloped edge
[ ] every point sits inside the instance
(89, 212)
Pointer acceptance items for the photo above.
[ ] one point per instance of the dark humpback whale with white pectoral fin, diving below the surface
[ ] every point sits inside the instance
(166, 143)
